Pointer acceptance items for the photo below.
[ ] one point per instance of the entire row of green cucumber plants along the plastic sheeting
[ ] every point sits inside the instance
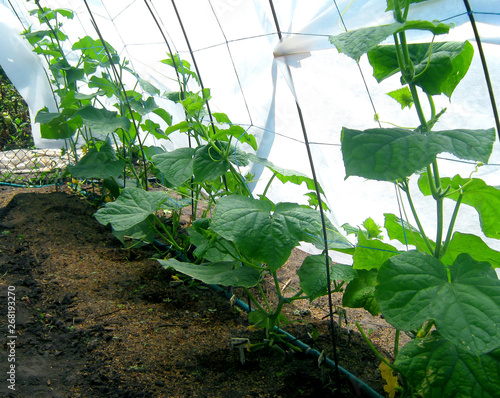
(443, 291)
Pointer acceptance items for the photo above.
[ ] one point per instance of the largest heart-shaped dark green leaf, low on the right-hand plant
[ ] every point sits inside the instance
(414, 287)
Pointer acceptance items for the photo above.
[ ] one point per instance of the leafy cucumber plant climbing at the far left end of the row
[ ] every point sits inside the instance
(85, 76)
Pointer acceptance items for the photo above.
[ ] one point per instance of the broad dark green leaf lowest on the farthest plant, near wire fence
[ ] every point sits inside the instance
(101, 164)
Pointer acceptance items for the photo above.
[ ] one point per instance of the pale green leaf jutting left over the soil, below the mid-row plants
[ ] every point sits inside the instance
(133, 206)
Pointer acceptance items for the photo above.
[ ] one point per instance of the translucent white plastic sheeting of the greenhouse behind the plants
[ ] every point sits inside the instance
(258, 80)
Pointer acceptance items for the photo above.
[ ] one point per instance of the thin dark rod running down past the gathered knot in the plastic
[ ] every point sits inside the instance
(320, 205)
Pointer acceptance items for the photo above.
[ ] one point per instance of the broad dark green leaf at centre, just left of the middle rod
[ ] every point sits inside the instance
(263, 232)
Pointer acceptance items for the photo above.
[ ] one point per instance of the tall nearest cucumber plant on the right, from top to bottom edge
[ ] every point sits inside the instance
(445, 293)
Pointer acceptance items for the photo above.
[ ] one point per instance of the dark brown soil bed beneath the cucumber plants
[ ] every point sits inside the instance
(94, 320)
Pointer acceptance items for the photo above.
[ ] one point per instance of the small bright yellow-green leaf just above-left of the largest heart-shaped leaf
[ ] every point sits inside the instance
(371, 253)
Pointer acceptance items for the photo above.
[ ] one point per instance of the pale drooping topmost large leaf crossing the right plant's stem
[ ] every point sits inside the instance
(357, 42)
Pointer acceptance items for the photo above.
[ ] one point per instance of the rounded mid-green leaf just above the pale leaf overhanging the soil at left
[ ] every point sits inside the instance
(176, 166)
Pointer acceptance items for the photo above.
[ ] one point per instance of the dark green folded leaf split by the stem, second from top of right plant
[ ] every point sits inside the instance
(439, 67)
